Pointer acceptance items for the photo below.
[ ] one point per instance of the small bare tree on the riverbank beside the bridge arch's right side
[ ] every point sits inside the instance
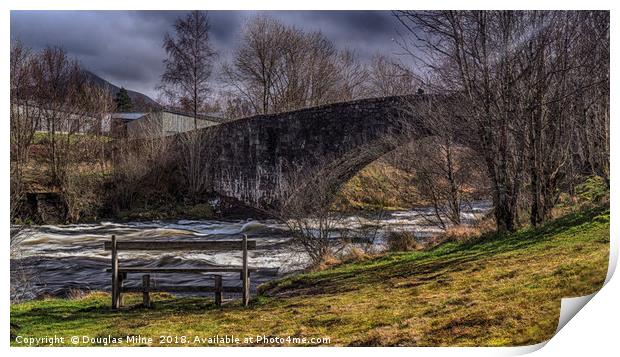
(446, 172)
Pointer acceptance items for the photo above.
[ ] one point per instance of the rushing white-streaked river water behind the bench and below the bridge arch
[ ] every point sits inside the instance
(61, 258)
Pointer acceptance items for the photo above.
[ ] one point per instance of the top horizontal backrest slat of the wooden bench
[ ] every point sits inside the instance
(180, 245)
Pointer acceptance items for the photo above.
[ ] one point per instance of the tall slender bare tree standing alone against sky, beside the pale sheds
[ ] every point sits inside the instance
(189, 63)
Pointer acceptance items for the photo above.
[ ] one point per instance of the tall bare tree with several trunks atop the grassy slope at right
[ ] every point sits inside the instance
(515, 73)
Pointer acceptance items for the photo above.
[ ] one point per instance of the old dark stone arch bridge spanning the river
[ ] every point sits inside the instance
(253, 159)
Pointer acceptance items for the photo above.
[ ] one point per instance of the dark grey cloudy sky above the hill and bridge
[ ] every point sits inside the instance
(125, 47)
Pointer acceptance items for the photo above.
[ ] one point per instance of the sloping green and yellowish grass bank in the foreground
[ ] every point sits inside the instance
(500, 290)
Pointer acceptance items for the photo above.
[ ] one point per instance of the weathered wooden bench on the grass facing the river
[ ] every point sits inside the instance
(119, 274)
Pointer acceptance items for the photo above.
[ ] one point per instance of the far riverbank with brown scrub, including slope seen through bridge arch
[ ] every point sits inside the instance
(379, 186)
